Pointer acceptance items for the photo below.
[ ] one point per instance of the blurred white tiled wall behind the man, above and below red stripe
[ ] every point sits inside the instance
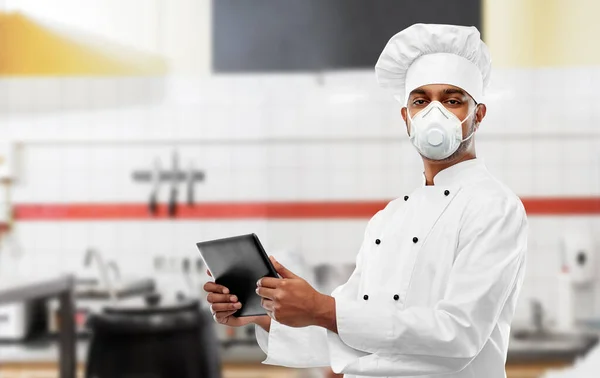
(278, 138)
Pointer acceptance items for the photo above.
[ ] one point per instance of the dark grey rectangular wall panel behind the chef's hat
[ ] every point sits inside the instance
(313, 35)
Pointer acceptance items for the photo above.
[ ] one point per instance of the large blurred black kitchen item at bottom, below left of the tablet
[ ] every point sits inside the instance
(154, 339)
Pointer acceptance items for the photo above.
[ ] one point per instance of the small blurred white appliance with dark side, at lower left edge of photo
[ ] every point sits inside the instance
(19, 320)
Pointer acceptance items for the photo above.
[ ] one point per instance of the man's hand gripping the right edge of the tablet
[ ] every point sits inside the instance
(290, 300)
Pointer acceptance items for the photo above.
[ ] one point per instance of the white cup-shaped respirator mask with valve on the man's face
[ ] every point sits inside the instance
(436, 132)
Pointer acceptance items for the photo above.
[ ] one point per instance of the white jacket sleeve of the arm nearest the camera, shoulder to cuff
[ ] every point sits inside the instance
(445, 338)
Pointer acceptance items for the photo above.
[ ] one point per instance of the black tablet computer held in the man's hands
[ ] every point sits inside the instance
(237, 263)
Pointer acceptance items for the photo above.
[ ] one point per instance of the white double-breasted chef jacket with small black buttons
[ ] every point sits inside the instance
(434, 290)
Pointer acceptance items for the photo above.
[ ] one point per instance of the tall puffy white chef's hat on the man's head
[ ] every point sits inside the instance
(435, 54)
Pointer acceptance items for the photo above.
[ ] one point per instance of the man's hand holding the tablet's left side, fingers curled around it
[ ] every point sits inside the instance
(223, 305)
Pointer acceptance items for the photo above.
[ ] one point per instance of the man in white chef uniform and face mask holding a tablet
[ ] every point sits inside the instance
(439, 271)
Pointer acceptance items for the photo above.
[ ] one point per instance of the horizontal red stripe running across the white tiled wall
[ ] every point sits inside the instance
(270, 210)
